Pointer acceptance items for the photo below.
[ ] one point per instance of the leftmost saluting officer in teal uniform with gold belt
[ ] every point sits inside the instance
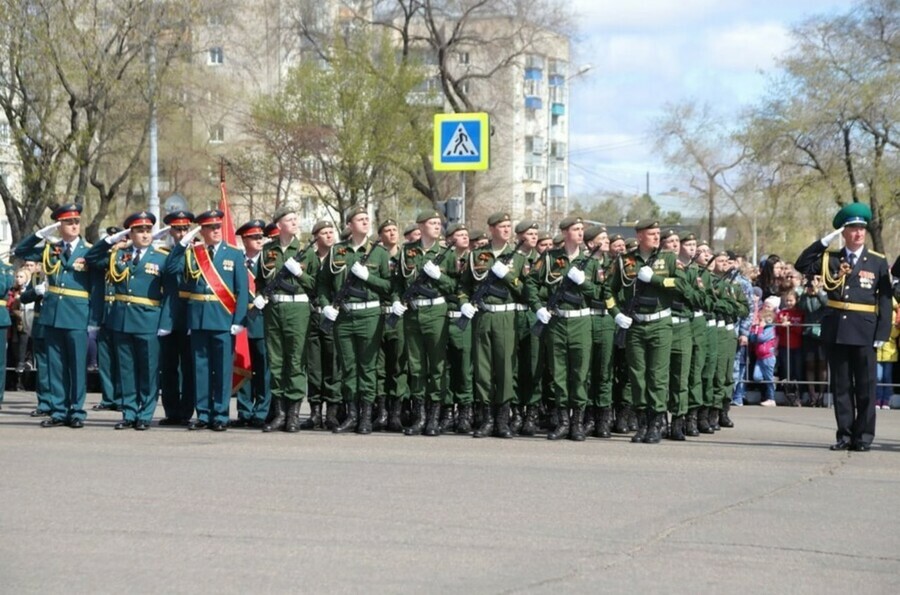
(67, 311)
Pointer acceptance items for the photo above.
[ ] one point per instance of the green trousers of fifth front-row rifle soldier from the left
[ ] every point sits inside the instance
(569, 342)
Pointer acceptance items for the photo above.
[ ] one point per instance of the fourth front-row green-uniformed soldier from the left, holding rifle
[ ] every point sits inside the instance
(494, 328)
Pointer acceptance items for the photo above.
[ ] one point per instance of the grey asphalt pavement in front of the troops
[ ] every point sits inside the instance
(764, 507)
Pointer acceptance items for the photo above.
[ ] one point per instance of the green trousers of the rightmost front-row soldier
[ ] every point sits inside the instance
(647, 348)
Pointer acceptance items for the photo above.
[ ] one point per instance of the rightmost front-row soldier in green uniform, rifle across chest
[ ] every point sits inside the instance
(645, 279)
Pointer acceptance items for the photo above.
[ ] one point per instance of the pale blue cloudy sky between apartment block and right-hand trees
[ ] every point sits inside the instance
(647, 54)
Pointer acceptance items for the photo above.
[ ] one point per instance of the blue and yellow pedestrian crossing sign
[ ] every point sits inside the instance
(461, 142)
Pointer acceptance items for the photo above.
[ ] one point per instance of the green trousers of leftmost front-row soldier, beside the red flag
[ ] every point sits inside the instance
(286, 328)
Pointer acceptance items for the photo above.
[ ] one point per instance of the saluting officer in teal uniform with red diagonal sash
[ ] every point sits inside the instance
(217, 293)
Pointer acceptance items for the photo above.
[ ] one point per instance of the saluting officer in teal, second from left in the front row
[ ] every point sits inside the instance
(136, 317)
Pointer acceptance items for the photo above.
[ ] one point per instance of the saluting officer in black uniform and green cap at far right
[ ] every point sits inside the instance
(857, 321)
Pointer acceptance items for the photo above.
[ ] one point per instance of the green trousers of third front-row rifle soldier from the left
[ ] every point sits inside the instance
(426, 348)
